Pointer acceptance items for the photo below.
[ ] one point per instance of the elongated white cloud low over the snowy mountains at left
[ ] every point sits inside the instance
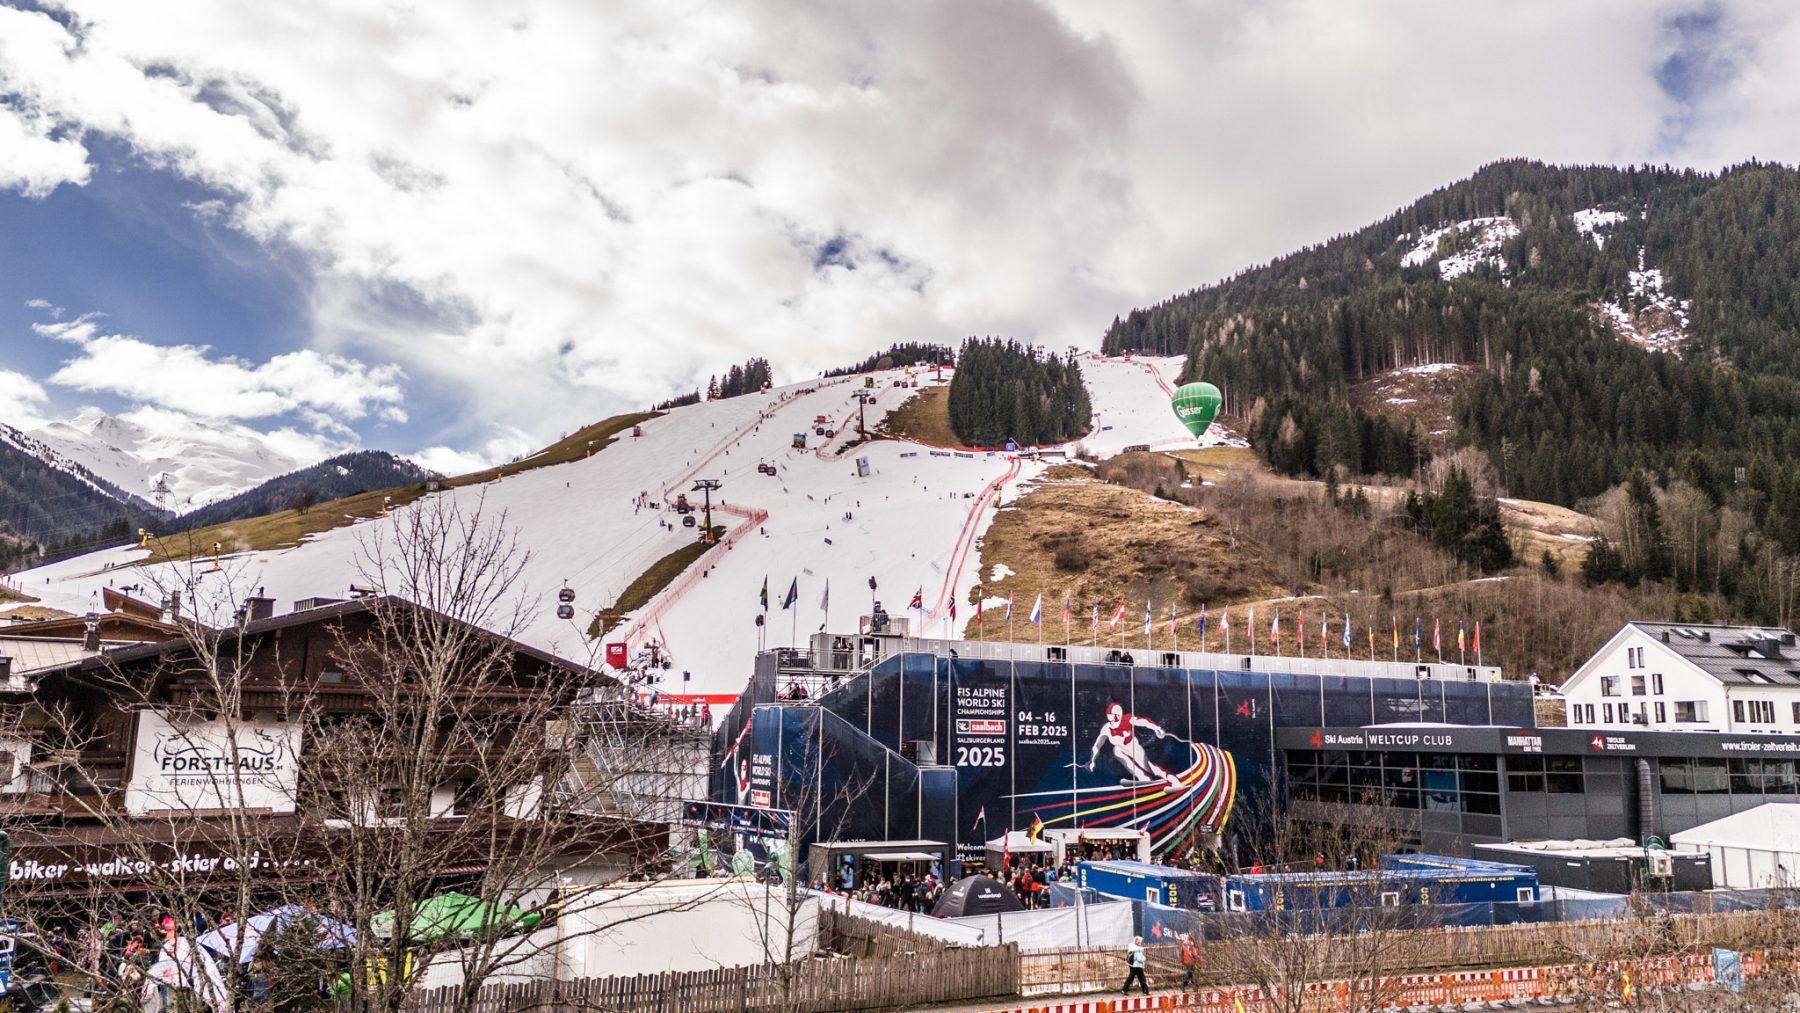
(325, 390)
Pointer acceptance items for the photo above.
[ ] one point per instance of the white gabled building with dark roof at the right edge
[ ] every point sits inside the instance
(1687, 677)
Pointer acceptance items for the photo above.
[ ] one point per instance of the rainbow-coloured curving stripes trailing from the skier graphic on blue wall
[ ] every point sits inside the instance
(1209, 789)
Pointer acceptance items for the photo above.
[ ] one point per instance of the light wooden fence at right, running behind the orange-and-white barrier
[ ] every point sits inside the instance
(1225, 962)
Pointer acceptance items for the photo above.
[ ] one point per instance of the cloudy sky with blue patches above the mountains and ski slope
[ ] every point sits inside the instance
(460, 229)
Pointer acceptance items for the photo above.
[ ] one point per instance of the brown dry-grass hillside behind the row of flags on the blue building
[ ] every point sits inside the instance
(1257, 541)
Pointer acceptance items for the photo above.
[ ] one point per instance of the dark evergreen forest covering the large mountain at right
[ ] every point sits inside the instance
(1558, 400)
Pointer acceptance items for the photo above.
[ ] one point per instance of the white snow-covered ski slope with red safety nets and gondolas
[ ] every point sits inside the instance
(912, 524)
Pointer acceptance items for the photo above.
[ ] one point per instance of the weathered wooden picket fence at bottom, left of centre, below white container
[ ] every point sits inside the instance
(811, 987)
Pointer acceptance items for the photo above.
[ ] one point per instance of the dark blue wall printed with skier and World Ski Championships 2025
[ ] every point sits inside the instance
(1052, 746)
